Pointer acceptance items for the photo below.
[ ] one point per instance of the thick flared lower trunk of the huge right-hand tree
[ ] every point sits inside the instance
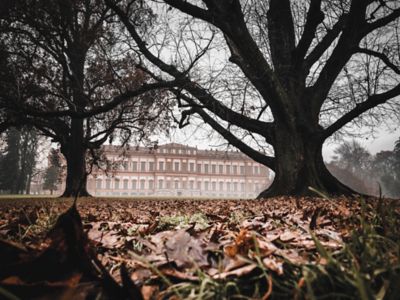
(299, 165)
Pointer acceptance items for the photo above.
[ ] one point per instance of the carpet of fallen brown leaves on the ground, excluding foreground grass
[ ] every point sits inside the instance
(138, 249)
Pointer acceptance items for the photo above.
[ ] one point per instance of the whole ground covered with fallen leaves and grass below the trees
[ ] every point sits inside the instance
(281, 248)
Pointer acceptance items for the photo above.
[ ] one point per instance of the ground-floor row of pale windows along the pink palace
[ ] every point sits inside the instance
(176, 184)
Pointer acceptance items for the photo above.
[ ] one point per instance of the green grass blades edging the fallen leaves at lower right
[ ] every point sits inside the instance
(367, 267)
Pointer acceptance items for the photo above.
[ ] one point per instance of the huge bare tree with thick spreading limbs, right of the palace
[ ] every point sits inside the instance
(306, 70)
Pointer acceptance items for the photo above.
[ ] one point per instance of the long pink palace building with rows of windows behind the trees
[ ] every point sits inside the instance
(179, 170)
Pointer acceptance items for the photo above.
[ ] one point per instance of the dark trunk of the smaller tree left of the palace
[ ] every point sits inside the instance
(74, 152)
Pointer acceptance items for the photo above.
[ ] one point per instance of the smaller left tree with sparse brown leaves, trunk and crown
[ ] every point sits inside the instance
(73, 79)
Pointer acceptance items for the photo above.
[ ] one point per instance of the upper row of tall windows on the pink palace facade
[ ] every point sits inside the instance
(191, 167)
